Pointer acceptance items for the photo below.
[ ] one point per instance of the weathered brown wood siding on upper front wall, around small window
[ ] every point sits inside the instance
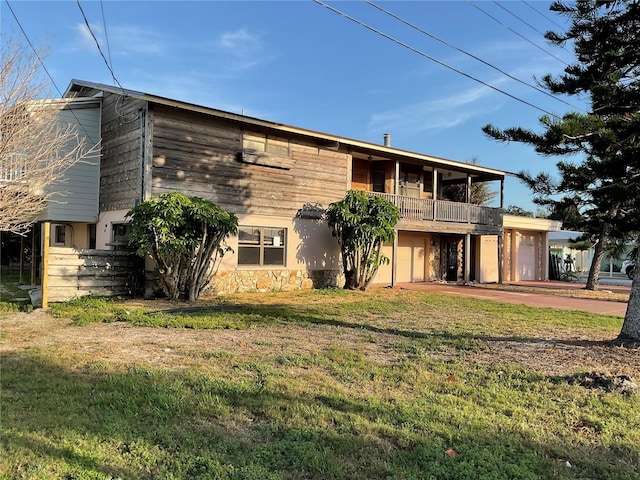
(199, 155)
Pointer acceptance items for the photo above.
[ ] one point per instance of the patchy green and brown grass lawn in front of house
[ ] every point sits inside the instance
(387, 384)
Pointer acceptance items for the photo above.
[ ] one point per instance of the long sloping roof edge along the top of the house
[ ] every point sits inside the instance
(82, 87)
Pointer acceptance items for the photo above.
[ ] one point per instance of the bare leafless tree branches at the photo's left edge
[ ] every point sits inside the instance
(36, 147)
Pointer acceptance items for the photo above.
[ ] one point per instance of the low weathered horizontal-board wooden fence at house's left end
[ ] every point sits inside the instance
(75, 273)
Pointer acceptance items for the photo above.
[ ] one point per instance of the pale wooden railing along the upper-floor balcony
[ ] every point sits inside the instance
(443, 210)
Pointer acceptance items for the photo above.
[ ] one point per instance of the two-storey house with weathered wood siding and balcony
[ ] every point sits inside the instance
(278, 179)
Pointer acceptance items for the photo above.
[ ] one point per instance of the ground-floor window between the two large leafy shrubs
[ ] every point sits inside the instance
(261, 246)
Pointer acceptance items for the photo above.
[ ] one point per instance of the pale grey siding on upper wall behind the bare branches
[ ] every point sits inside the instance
(78, 189)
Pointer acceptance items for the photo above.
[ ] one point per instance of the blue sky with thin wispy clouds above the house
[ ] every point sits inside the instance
(299, 63)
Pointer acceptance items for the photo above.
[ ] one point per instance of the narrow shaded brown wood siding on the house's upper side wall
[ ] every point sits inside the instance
(120, 167)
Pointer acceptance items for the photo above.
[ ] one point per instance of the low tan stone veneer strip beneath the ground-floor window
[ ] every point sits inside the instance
(241, 281)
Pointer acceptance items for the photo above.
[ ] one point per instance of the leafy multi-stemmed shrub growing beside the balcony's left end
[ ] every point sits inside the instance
(362, 223)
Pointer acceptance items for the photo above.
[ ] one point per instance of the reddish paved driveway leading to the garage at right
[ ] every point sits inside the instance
(550, 300)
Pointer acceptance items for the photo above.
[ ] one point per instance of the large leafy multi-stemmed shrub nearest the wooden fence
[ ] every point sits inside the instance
(185, 236)
